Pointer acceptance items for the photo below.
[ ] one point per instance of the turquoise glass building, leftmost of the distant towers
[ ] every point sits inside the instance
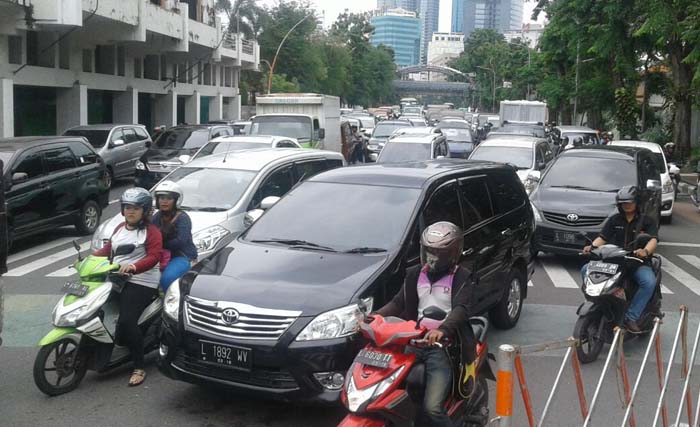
(400, 30)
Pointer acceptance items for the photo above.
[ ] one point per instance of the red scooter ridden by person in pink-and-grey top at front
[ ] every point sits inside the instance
(385, 385)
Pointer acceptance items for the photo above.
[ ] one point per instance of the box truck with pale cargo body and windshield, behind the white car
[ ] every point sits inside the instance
(313, 119)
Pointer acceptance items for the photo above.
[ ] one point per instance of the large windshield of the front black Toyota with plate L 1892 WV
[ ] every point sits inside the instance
(339, 210)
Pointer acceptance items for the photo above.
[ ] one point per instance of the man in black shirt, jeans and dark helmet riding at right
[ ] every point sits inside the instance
(621, 230)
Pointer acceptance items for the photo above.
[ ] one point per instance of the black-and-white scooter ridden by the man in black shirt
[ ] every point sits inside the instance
(608, 289)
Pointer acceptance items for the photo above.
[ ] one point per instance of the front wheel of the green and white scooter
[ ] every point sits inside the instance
(59, 367)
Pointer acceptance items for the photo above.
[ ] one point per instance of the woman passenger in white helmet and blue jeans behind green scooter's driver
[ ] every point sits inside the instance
(176, 227)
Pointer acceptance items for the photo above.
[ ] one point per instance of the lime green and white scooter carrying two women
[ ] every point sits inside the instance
(85, 322)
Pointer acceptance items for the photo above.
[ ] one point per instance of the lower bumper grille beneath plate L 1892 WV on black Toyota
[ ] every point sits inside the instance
(270, 378)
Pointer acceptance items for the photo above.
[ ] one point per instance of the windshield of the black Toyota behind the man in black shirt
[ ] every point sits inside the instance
(590, 173)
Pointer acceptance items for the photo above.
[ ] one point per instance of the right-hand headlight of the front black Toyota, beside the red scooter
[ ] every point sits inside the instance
(336, 323)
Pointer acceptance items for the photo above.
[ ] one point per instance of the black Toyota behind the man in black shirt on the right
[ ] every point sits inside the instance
(576, 194)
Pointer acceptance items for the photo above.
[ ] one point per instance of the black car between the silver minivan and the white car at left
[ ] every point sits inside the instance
(174, 148)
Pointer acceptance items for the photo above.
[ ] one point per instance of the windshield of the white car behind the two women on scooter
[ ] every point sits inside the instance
(211, 189)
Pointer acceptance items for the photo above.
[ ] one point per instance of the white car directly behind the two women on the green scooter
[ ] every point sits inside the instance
(221, 189)
